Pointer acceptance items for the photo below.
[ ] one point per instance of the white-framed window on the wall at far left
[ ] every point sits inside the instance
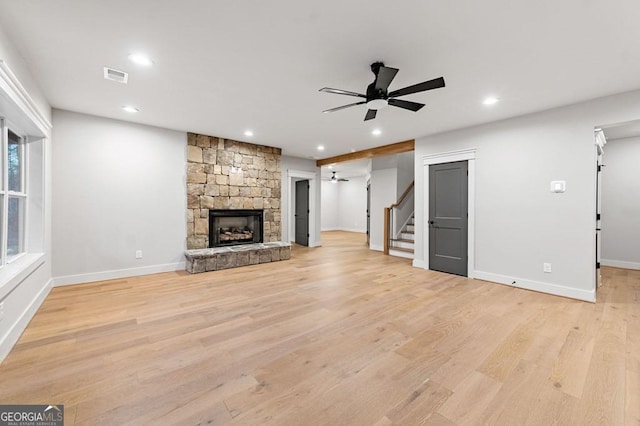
(13, 194)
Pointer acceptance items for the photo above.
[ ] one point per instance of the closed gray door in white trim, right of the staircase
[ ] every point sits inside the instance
(448, 188)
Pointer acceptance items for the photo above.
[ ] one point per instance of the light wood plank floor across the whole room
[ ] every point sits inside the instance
(339, 335)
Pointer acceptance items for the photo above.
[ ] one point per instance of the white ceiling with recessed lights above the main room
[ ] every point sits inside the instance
(222, 67)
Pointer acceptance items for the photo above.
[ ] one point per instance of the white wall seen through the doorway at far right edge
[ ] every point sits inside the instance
(621, 204)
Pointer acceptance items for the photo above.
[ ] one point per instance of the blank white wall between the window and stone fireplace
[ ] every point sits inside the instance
(119, 187)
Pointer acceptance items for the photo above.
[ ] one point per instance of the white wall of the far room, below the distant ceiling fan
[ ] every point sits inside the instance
(344, 205)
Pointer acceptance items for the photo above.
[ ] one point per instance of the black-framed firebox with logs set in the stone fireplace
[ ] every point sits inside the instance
(232, 227)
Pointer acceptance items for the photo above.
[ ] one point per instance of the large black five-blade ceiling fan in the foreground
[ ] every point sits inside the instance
(378, 96)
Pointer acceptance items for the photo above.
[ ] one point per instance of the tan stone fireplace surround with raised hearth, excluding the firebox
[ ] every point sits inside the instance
(227, 174)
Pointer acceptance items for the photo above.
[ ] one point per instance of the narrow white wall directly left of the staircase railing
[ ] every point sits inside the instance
(383, 194)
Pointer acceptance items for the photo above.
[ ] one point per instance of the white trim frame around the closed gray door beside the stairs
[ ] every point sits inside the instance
(468, 155)
